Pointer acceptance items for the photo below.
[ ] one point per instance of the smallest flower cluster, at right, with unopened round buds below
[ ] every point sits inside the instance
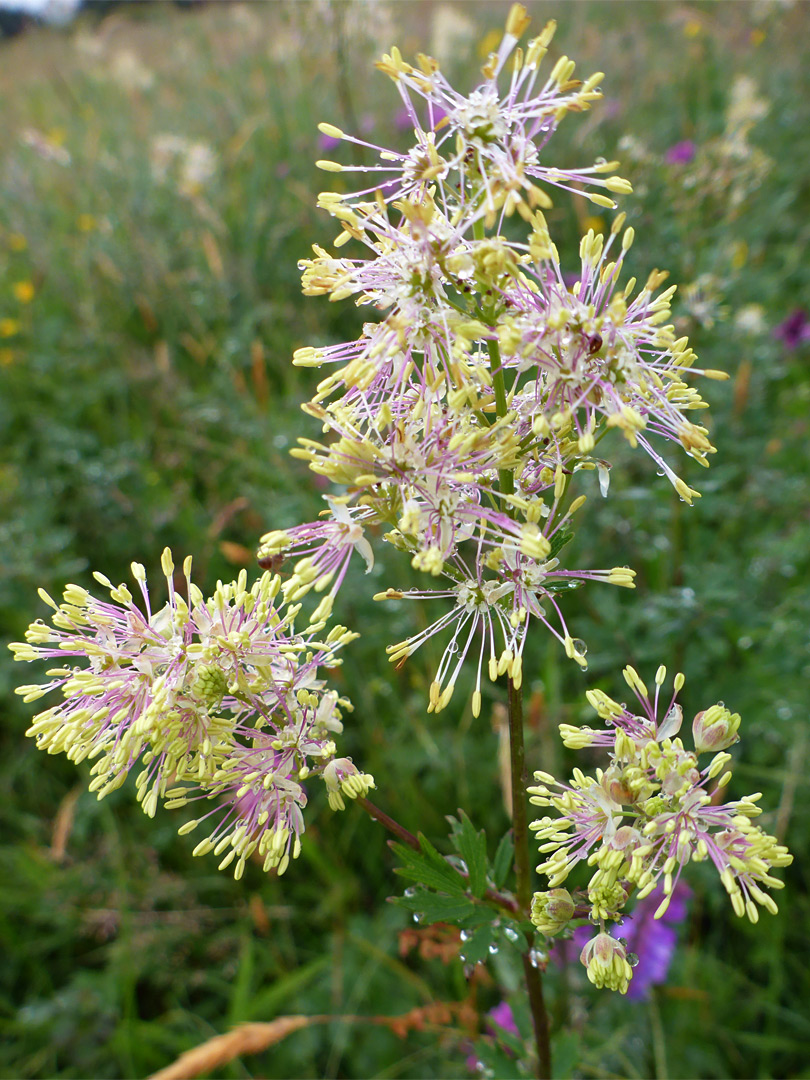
(641, 821)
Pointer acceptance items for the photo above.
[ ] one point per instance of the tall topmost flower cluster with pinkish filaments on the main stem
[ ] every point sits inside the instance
(458, 422)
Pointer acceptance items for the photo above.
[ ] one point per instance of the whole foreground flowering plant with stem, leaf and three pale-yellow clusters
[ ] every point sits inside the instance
(458, 426)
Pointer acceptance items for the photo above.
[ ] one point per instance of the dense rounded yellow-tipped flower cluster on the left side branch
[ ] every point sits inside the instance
(215, 700)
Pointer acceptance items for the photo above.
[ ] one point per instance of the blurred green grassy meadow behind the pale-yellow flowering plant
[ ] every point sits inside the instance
(157, 190)
